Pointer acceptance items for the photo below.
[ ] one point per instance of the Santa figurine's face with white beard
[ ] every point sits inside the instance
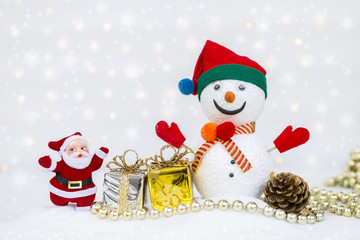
(76, 154)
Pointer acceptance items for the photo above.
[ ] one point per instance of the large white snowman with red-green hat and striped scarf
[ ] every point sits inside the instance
(232, 161)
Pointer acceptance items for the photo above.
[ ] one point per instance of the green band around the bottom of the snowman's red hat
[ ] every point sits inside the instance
(232, 71)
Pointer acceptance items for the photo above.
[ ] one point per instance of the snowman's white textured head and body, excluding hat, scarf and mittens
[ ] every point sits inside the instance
(212, 178)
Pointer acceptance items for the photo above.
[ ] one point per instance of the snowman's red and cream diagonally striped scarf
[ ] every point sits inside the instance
(230, 147)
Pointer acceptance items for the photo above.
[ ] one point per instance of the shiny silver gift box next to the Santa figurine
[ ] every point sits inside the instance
(136, 195)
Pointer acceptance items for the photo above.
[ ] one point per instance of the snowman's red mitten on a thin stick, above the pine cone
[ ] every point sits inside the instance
(290, 138)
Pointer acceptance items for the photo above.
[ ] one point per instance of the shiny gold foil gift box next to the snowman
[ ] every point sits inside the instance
(170, 186)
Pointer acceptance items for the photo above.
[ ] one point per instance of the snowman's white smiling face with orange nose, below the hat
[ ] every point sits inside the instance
(233, 101)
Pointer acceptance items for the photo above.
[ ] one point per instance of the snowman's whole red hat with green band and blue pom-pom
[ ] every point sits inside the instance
(215, 63)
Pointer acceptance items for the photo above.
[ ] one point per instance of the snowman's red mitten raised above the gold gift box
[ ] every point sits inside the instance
(172, 135)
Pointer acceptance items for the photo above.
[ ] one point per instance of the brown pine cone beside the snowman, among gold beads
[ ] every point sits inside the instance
(288, 192)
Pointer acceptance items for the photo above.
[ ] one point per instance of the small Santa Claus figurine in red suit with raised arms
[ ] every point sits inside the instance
(73, 181)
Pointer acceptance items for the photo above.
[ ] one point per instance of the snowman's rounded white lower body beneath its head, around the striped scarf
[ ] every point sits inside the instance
(212, 178)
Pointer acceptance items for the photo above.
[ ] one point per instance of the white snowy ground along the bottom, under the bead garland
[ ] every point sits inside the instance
(50, 222)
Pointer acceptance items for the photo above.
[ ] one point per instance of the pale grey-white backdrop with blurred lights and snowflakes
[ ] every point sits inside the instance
(110, 69)
